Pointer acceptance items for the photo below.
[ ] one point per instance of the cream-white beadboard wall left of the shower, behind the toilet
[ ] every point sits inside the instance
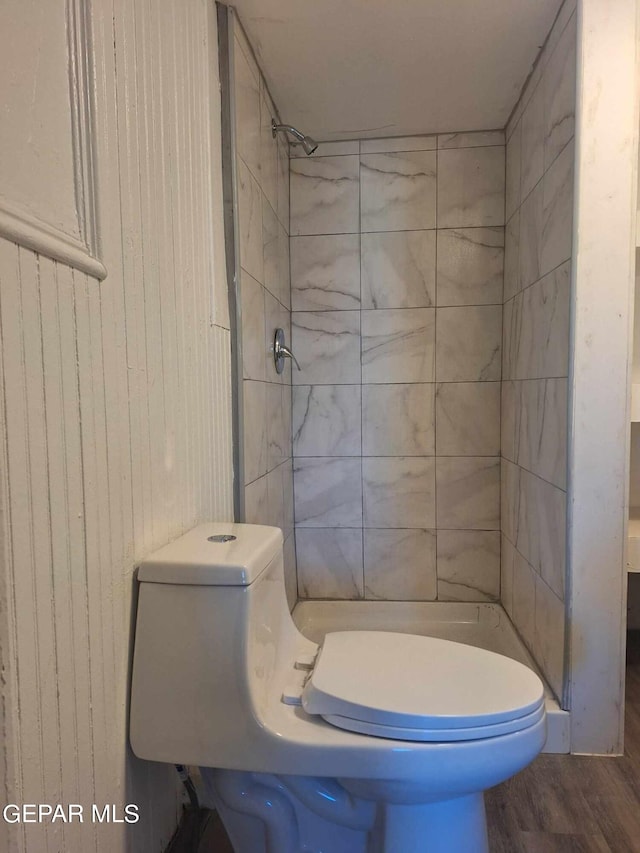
(115, 427)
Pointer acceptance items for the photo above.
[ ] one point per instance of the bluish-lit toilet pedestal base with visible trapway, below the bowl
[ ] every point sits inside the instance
(264, 813)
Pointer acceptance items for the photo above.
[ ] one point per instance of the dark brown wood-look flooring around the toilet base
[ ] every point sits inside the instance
(560, 804)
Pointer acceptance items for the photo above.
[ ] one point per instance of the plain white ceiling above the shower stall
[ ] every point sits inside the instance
(340, 69)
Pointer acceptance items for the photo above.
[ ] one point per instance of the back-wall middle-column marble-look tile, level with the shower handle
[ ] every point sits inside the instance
(398, 345)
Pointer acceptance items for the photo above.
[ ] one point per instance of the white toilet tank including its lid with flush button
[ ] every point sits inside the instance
(211, 617)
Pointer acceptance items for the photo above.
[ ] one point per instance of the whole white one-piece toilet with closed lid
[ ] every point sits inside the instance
(372, 742)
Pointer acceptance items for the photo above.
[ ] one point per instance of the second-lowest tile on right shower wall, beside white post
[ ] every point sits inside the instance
(541, 529)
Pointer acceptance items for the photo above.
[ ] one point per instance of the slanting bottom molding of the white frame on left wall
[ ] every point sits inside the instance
(27, 230)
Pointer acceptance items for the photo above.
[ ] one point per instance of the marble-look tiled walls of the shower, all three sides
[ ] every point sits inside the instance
(423, 284)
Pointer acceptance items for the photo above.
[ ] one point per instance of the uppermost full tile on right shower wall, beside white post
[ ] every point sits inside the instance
(559, 82)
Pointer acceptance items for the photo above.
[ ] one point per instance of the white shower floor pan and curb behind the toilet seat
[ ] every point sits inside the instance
(486, 626)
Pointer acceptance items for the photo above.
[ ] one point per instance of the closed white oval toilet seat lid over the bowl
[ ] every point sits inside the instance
(398, 685)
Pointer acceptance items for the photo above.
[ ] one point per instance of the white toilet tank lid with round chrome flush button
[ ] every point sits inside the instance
(214, 554)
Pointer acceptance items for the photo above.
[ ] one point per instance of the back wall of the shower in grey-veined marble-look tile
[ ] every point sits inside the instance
(397, 265)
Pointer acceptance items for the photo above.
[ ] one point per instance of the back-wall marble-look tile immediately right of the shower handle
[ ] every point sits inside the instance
(327, 346)
